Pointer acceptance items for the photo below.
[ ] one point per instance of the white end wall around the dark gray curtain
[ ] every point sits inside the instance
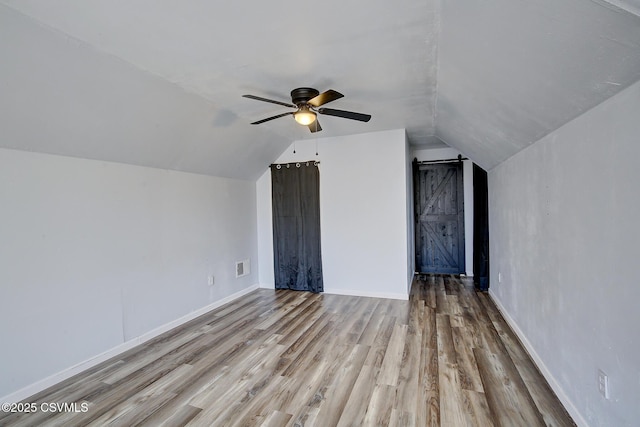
(363, 213)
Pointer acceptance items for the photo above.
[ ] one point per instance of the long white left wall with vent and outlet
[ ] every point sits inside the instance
(95, 254)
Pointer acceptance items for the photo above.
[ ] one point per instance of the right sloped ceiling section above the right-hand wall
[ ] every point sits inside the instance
(513, 71)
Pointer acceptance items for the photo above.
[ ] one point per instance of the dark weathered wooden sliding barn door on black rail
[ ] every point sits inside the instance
(439, 207)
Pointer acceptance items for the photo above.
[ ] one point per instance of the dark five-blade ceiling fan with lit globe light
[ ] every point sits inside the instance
(307, 101)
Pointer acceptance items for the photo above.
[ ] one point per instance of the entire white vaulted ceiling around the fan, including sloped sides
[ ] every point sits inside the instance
(160, 84)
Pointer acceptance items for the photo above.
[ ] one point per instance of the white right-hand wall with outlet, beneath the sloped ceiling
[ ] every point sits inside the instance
(564, 238)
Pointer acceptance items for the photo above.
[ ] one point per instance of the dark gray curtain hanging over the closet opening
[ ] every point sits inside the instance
(296, 226)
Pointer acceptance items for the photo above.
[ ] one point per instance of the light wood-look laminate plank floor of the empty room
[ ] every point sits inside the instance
(285, 358)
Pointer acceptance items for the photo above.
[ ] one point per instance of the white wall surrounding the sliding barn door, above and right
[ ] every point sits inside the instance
(467, 172)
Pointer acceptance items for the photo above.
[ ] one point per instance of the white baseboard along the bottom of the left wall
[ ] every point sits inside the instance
(54, 379)
